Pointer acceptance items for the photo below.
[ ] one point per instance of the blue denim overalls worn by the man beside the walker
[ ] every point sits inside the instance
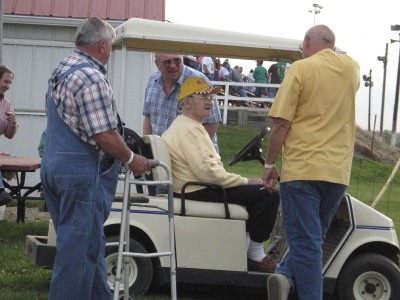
(79, 189)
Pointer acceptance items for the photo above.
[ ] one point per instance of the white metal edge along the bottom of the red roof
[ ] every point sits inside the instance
(53, 21)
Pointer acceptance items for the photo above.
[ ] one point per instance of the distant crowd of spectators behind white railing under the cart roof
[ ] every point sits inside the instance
(214, 70)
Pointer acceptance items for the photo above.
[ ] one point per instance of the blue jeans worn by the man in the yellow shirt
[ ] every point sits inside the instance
(308, 209)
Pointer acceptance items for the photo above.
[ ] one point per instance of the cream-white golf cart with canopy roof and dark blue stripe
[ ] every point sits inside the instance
(360, 251)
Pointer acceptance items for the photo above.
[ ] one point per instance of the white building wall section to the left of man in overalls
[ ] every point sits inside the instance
(31, 51)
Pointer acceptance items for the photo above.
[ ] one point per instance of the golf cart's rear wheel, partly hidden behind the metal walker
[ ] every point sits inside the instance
(141, 268)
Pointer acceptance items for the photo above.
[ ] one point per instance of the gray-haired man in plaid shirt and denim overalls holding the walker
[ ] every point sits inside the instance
(81, 162)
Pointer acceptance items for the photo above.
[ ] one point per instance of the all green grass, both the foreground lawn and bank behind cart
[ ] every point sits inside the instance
(20, 278)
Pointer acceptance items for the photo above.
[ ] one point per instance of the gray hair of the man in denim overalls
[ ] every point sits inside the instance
(93, 30)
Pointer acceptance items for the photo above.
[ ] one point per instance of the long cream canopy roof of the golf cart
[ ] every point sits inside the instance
(156, 36)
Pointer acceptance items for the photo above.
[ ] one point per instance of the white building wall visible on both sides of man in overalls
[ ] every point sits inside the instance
(32, 51)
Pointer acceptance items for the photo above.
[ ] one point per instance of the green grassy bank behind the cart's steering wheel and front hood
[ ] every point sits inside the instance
(367, 177)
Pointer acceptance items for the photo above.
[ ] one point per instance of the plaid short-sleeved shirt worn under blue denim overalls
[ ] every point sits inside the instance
(85, 98)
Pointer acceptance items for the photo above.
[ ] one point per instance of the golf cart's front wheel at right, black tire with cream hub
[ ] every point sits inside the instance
(369, 276)
